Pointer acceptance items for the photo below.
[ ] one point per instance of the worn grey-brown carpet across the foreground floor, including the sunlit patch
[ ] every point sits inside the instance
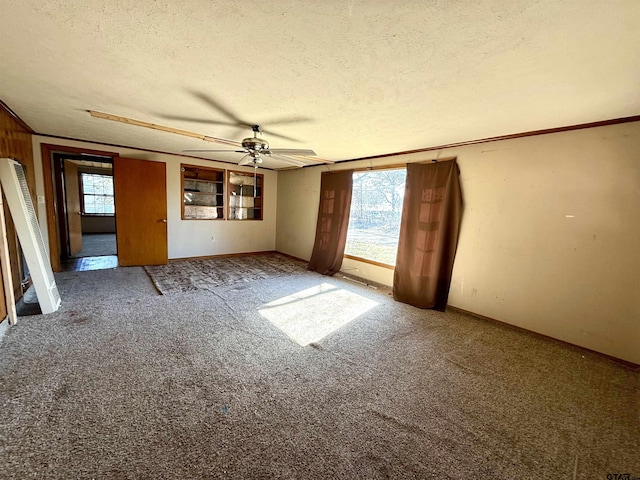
(122, 382)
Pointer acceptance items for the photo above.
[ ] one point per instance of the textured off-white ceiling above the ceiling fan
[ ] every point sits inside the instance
(363, 77)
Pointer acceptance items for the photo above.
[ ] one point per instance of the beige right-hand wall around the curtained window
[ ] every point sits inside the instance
(550, 237)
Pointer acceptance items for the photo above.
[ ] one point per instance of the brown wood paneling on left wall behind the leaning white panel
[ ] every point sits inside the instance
(15, 142)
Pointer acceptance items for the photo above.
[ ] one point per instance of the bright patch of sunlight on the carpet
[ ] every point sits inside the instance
(310, 315)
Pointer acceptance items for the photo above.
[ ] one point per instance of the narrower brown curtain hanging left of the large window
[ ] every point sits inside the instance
(333, 222)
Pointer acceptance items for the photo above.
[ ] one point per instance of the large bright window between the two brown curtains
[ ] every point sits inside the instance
(376, 212)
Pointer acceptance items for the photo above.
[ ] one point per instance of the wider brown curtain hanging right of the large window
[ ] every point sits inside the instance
(428, 238)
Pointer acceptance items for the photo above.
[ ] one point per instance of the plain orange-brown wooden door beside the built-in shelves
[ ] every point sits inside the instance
(140, 189)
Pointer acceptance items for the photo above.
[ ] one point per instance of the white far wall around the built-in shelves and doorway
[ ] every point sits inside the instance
(187, 238)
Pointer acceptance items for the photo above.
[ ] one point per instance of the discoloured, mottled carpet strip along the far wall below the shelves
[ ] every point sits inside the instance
(211, 273)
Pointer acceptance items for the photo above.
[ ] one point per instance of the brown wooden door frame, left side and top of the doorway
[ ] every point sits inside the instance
(47, 150)
